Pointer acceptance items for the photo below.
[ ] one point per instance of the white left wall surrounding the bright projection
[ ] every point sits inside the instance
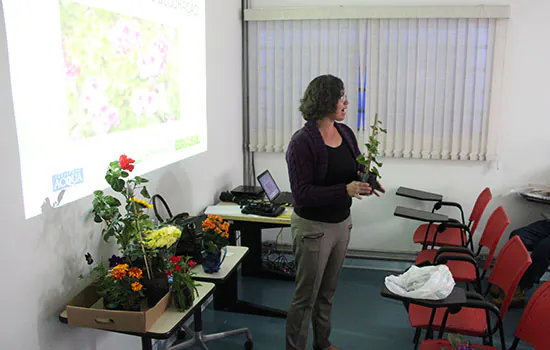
(41, 258)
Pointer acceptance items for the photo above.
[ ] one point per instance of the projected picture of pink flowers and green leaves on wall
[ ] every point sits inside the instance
(121, 72)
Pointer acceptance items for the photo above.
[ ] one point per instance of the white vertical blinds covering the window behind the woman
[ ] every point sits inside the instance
(431, 81)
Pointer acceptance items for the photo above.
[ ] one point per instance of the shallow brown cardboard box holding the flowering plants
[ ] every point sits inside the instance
(86, 310)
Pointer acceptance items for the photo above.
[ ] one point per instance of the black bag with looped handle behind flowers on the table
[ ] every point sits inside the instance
(190, 242)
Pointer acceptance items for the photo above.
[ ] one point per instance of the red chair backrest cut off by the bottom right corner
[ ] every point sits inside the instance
(534, 325)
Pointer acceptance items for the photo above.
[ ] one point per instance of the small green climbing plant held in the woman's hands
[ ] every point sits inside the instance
(371, 171)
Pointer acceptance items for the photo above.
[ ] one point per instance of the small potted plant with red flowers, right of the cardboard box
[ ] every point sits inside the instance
(184, 288)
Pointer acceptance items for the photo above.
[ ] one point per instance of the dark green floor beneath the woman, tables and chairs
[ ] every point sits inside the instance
(362, 319)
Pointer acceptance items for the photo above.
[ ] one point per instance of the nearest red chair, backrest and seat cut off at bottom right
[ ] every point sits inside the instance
(533, 327)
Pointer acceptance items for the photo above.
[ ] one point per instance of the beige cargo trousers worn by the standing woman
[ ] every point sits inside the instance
(319, 249)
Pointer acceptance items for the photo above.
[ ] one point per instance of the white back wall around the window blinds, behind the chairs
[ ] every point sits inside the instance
(524, 137)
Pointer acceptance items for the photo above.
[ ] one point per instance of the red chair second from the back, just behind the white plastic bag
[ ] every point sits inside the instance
(461, 261)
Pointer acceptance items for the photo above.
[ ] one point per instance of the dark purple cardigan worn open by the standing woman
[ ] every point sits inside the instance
(307, 161)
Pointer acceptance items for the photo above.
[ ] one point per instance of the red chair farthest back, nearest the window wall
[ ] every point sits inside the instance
(427, 234)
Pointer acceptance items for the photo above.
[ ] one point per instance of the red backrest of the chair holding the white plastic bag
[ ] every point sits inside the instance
(512, 261)
